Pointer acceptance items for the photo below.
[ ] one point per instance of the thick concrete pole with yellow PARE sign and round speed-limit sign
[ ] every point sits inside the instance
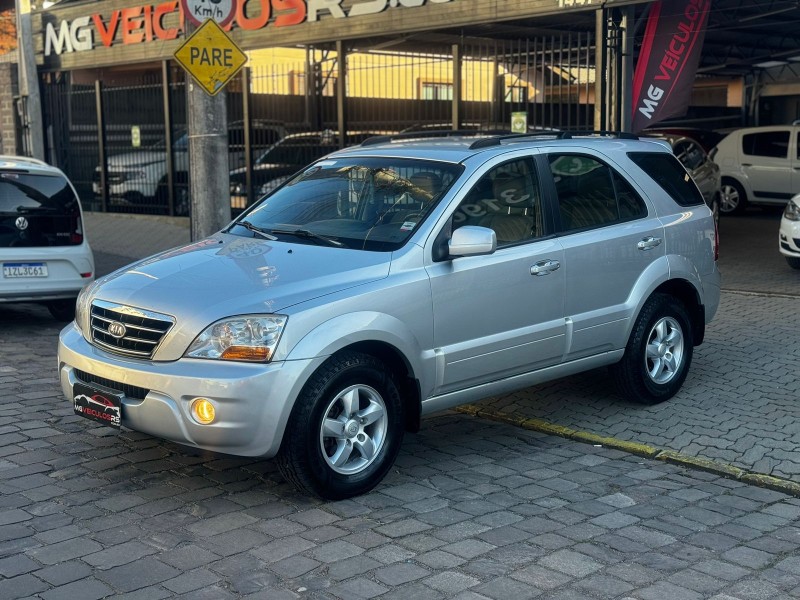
(211, 59)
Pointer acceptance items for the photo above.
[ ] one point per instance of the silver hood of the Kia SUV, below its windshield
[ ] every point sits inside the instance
(226, 275)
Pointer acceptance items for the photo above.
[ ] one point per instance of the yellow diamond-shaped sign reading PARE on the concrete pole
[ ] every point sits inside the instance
(211, 57)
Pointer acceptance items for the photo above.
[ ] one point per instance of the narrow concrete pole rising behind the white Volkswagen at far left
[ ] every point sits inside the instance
(29, 82)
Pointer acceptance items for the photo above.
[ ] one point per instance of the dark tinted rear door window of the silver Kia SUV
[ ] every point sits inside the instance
(591, 194)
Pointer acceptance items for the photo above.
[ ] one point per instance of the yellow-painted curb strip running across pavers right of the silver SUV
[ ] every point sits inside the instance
(639, 449)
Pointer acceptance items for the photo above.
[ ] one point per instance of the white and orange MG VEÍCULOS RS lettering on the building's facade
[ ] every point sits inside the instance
(146, 23)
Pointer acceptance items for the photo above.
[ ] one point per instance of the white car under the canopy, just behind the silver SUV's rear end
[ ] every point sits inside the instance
(760, 165)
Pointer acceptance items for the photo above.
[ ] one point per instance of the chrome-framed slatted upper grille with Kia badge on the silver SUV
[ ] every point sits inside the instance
(142, 333)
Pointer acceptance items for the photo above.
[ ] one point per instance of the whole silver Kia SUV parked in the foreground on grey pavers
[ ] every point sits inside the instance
(398, 278)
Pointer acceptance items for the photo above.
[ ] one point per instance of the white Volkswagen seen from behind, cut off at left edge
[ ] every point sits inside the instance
(43, 249)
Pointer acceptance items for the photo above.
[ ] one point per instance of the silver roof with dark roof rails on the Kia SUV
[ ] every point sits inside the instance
(459, 148)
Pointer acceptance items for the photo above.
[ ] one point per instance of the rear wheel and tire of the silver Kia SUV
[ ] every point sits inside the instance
(658, 354)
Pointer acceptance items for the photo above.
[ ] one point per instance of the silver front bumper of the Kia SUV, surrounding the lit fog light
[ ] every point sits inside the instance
(252, 401)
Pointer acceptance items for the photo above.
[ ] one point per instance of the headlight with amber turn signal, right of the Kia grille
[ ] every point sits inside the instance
(250, 338)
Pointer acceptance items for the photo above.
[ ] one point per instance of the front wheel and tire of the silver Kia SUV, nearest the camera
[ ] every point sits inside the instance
(345, 429)
